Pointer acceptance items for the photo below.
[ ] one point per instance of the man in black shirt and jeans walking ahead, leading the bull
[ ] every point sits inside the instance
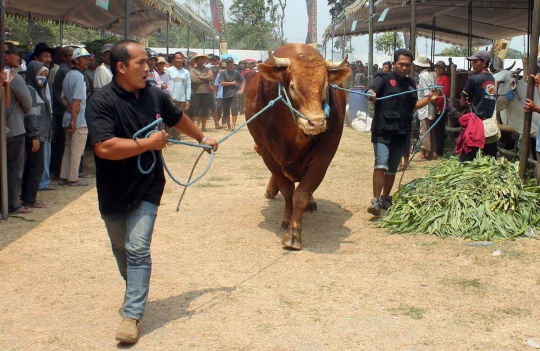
(128, 199)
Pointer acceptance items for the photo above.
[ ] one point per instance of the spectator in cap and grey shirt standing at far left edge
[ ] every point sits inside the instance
(21, 103)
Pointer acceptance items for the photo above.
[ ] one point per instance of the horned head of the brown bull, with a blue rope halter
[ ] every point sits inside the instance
(306, 78)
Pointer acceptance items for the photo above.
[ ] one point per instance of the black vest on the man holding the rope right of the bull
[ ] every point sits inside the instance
(394, 115)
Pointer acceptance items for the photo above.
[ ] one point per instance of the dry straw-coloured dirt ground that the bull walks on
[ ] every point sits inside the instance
(221, 280)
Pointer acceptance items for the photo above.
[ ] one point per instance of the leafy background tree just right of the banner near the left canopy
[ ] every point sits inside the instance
(251, 26)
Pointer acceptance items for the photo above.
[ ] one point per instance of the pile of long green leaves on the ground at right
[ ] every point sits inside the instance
(478, 200)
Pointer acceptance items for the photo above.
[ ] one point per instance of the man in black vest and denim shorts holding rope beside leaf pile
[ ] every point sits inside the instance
(391, 123)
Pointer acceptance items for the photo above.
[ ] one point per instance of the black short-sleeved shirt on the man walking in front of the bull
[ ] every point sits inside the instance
(114, 112)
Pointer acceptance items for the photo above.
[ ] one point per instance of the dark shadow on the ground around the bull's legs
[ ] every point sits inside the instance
(323, 231)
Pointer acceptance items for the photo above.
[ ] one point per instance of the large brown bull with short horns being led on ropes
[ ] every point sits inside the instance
(301, 151)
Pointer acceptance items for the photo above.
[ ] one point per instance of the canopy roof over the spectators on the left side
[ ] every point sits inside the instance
(146, 16)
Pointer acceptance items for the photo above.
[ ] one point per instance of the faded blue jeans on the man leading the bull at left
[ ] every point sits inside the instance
(131, 234)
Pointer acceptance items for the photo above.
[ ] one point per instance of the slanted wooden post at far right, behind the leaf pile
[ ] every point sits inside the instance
(533, 54)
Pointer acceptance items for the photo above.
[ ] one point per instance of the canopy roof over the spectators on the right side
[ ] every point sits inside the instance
(491, 19)
